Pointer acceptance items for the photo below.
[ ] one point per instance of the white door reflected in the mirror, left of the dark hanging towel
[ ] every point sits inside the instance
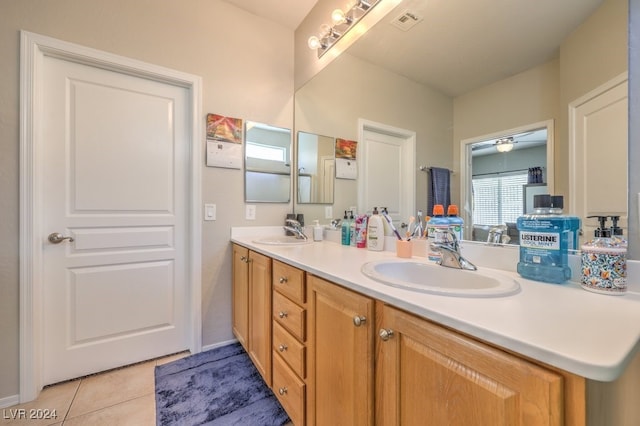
(386, 170)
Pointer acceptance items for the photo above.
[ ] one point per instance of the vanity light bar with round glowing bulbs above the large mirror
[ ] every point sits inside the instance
(342, 22)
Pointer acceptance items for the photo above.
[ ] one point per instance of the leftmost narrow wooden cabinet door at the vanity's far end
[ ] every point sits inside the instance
(240, 294)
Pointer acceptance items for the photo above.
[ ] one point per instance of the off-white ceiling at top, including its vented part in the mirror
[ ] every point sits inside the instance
(459, 45)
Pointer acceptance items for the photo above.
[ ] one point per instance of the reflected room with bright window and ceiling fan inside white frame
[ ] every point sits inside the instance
(505, 173)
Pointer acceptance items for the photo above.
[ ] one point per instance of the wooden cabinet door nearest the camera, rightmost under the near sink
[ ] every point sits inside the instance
(426, 374)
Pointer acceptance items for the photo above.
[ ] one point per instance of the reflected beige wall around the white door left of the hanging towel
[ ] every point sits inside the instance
(349, 89)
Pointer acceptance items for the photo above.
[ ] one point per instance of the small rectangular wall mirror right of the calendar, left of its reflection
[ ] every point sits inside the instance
(267, 160)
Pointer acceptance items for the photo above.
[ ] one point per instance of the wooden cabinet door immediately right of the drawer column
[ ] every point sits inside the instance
(340, 355)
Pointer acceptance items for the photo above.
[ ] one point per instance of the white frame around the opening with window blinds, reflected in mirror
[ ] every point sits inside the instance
(466, 161)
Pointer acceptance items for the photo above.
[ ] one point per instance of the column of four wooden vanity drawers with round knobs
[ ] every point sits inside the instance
(289, 337)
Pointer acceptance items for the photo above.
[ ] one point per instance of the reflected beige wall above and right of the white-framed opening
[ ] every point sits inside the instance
(593, 54)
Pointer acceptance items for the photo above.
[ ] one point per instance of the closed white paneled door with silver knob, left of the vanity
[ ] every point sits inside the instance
(115, 180)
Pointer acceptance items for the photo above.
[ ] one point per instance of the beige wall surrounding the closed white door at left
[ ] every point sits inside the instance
(246, 64)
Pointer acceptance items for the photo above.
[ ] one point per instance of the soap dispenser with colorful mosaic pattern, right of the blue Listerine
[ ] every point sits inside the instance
(604, 262)
